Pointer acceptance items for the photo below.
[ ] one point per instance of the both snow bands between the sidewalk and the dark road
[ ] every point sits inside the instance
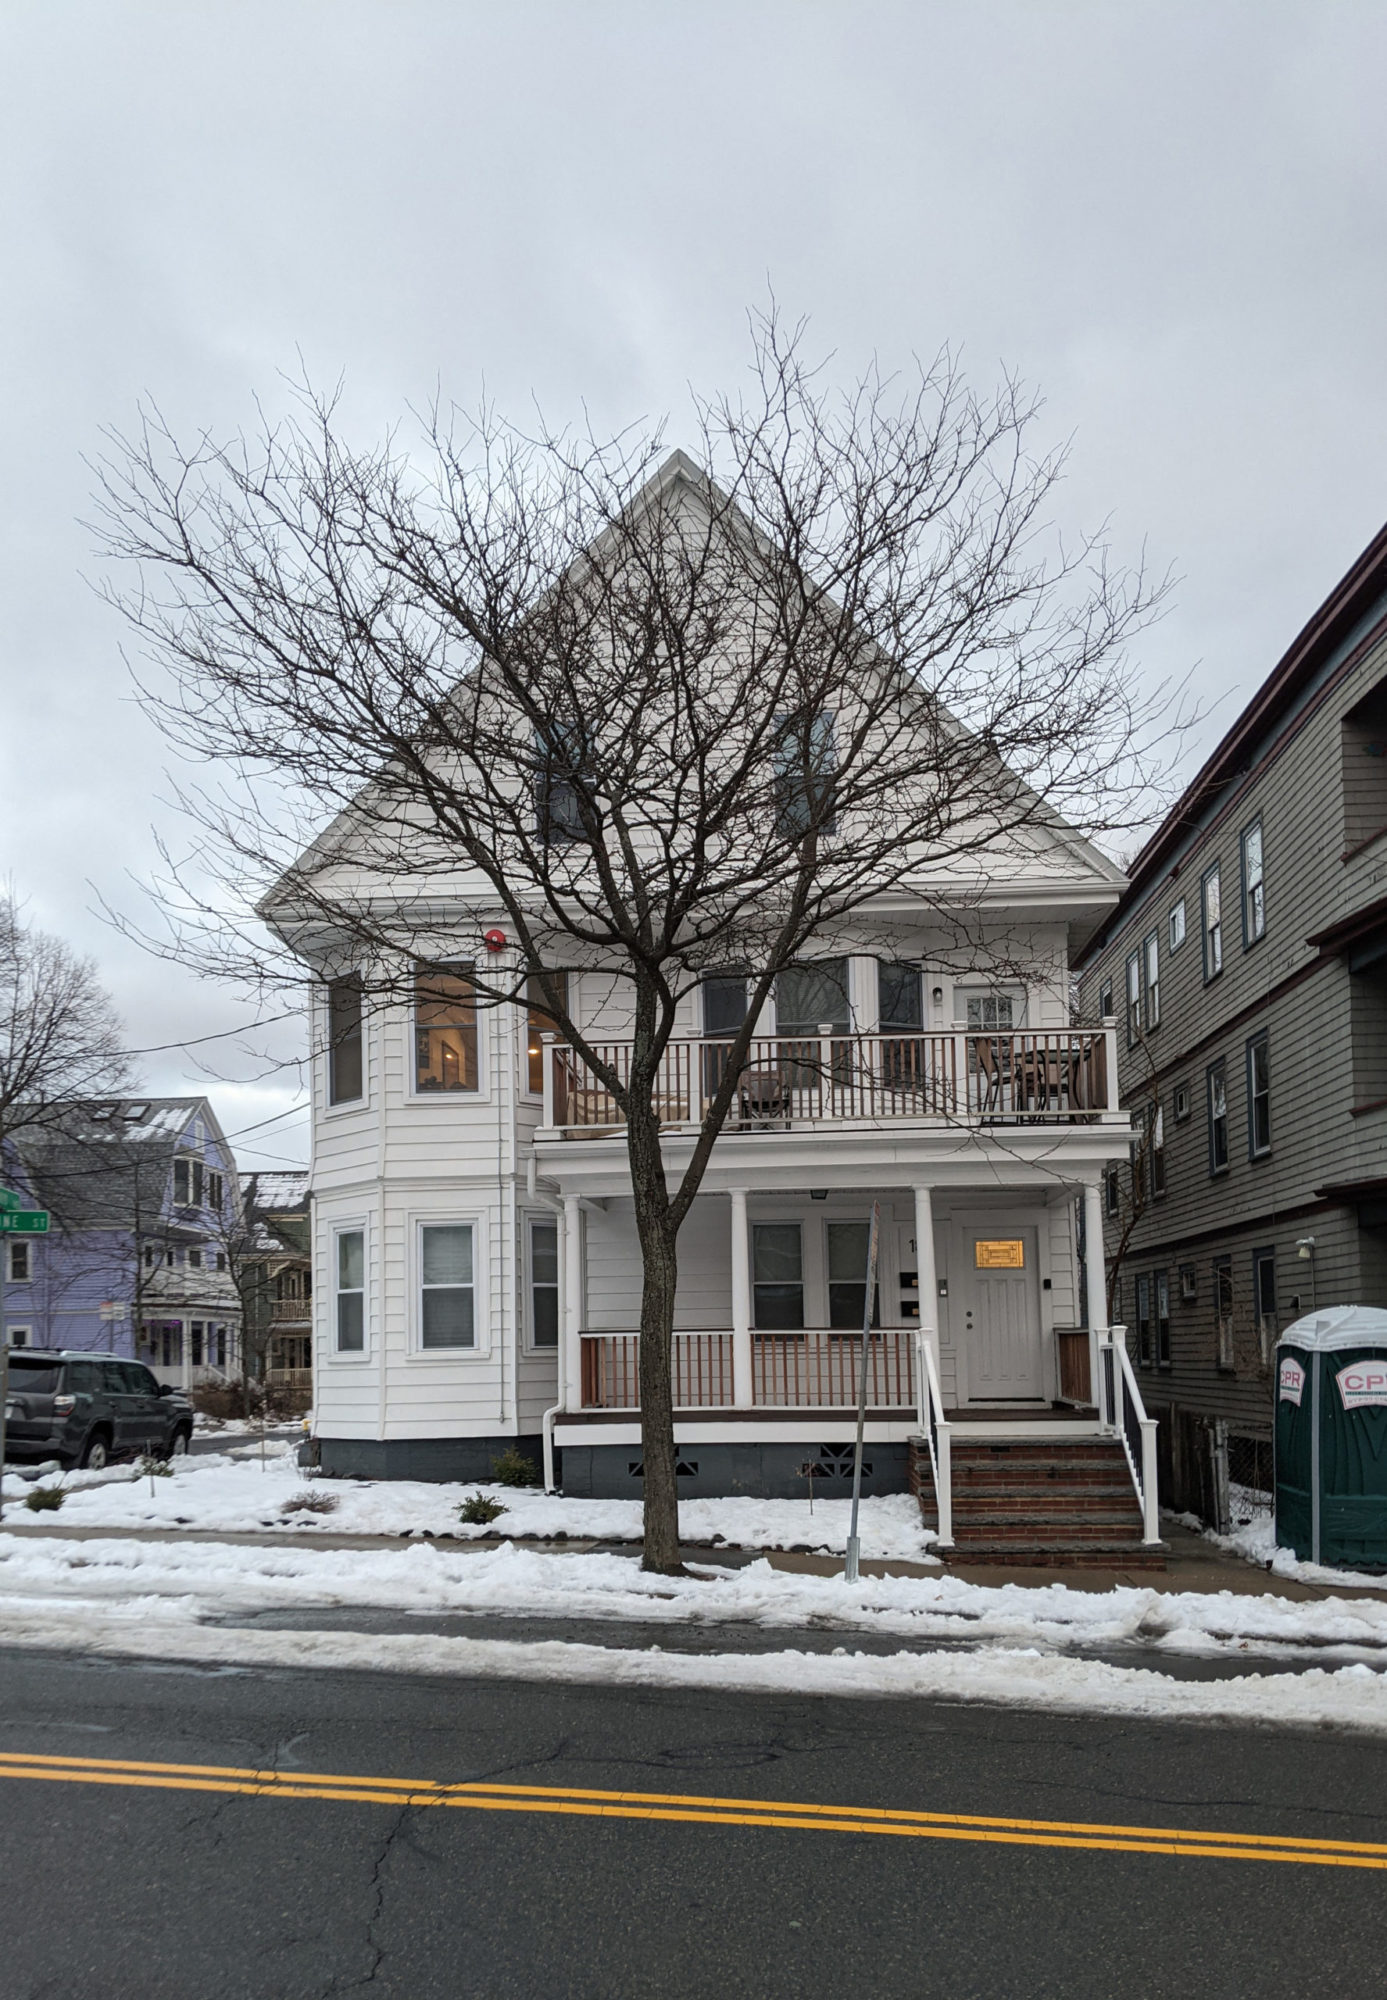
(1010, 1645)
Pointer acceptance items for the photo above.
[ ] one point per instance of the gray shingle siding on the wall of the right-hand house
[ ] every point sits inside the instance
(1326, 1031)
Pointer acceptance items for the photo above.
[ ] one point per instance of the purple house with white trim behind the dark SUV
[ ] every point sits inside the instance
(141, 1253)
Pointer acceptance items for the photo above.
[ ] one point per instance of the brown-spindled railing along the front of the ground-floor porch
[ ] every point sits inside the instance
(812, 1369)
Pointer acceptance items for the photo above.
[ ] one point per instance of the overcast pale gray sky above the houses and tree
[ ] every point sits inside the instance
(1166, 217)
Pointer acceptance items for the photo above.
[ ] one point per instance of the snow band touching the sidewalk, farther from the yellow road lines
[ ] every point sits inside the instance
(211, 1579)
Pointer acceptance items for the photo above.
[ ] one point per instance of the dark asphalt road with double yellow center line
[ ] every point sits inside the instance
(153, 1889)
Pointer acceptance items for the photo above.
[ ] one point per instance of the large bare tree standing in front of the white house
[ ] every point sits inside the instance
(657, 715)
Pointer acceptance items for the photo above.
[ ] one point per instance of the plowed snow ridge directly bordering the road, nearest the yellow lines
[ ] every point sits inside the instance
(1350, 1697)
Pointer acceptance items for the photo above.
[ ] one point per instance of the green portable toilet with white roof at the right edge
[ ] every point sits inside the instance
(1332, 1439)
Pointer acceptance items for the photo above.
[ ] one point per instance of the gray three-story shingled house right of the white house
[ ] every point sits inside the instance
(1248, 971)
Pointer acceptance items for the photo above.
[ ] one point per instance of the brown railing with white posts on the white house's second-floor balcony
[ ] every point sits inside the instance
(1052, 1077)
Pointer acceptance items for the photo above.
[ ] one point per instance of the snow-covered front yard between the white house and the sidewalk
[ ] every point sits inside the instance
(235, 1493)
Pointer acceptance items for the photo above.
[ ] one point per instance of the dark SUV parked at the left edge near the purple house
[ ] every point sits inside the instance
(89, 1409)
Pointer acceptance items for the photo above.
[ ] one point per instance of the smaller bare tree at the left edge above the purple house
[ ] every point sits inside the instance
(59, 1035)
